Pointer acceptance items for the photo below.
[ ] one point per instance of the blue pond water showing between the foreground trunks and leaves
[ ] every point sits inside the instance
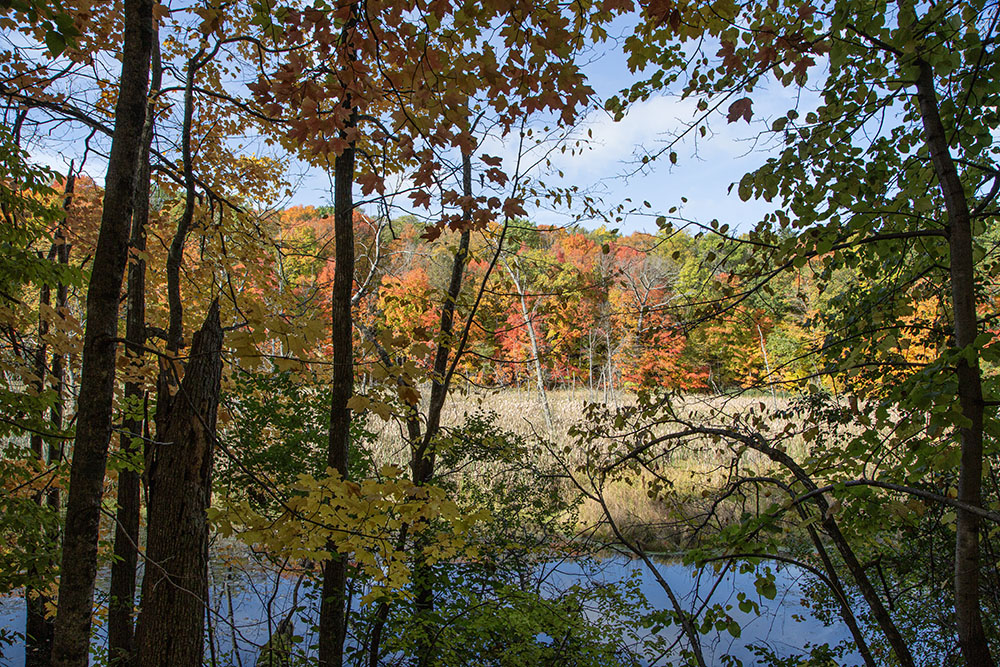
(786, 624)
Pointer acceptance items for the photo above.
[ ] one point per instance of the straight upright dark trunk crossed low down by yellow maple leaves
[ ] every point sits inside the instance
(333, 613)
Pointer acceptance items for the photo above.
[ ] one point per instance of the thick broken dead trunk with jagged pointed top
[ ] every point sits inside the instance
(175, 585)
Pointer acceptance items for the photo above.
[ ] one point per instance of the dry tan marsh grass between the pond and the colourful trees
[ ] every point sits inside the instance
(689, 476)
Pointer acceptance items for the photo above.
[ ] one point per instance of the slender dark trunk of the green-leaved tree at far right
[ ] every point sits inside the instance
(968, 617)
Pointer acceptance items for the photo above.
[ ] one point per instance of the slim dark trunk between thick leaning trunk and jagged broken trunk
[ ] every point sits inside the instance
(123, 568)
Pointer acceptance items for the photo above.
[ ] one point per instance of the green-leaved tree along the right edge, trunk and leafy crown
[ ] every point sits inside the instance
(915, 193)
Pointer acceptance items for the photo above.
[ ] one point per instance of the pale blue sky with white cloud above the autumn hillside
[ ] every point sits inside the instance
(609, 166)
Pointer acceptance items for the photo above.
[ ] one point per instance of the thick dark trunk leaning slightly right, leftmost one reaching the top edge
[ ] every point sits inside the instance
(71, 646)
